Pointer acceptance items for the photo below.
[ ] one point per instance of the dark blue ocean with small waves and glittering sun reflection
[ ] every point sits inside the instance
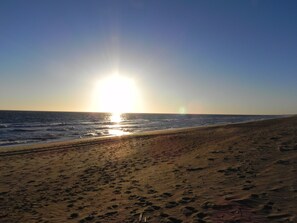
(30, 127)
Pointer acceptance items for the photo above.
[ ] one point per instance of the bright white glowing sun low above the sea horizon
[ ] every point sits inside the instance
(115, 94)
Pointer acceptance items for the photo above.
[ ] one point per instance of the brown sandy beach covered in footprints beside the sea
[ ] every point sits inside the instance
(232, 173)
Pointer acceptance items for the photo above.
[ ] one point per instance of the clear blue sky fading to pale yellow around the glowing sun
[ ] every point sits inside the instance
(201, 57)
